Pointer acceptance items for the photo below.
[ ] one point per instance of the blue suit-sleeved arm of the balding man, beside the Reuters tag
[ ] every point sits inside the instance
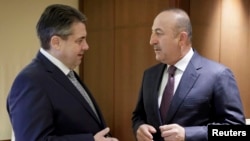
(226, 106)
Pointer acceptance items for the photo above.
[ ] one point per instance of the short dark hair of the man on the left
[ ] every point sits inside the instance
(57, 20)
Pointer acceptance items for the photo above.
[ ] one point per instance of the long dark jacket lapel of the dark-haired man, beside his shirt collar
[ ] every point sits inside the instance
(63, 80)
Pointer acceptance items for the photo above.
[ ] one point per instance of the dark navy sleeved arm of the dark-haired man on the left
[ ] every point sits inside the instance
(32, 115)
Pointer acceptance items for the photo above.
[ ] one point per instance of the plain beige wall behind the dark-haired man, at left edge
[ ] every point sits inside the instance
(19, 44)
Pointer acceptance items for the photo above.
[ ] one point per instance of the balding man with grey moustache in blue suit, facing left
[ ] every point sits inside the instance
(204, 93)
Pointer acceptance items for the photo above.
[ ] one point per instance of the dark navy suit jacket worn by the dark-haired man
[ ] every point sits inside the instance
(43, 104)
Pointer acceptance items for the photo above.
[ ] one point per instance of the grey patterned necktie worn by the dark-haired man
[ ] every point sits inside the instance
(79, 87)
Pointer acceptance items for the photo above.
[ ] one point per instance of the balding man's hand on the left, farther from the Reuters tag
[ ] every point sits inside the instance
(144, 132)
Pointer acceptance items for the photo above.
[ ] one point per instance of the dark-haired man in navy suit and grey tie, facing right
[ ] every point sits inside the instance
(43, 103)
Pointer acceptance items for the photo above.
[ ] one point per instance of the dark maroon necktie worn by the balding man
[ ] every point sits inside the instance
(168, 93)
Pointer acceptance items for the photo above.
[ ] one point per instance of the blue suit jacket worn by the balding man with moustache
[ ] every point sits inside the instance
(207, 94)
